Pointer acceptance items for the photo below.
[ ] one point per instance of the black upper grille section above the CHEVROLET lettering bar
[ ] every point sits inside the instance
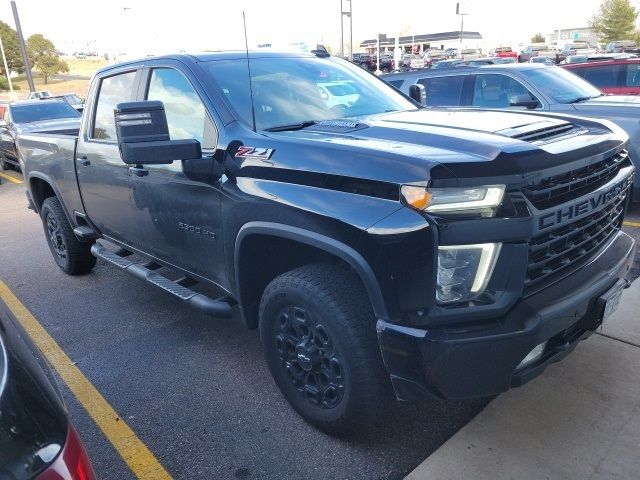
(557, 189)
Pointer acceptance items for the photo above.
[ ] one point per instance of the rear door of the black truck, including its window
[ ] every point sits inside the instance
(102, 175)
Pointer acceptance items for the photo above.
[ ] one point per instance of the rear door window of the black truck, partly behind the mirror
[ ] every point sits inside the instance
(113, 90)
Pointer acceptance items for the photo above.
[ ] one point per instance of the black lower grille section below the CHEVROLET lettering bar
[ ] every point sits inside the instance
(550, 253)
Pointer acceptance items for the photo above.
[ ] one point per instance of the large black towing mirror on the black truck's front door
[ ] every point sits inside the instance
(143, 136)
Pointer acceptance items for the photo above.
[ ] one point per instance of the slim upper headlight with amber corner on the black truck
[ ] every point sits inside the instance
(471, 200)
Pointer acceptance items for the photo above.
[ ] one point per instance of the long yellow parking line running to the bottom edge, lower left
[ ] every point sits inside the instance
(135, 453)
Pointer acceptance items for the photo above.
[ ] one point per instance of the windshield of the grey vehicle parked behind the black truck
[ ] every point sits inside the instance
(561, 85)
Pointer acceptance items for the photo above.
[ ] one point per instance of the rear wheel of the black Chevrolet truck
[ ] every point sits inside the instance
(71, 255)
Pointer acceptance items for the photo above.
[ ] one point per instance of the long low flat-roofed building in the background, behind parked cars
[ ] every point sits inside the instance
(423, 42)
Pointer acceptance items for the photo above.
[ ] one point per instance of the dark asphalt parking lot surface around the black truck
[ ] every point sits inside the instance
(194, 389)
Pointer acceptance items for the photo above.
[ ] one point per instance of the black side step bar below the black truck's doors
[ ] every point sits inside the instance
(216, 308)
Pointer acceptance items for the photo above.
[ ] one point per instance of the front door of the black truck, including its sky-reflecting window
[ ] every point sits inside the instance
(179, 218)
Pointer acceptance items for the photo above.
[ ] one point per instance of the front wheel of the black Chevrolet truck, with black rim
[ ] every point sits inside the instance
(318, 333)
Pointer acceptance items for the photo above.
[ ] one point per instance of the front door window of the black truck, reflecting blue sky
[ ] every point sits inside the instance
(186, 115)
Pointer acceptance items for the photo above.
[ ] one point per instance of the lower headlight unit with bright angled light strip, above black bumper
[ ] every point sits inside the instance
(464, 271)
